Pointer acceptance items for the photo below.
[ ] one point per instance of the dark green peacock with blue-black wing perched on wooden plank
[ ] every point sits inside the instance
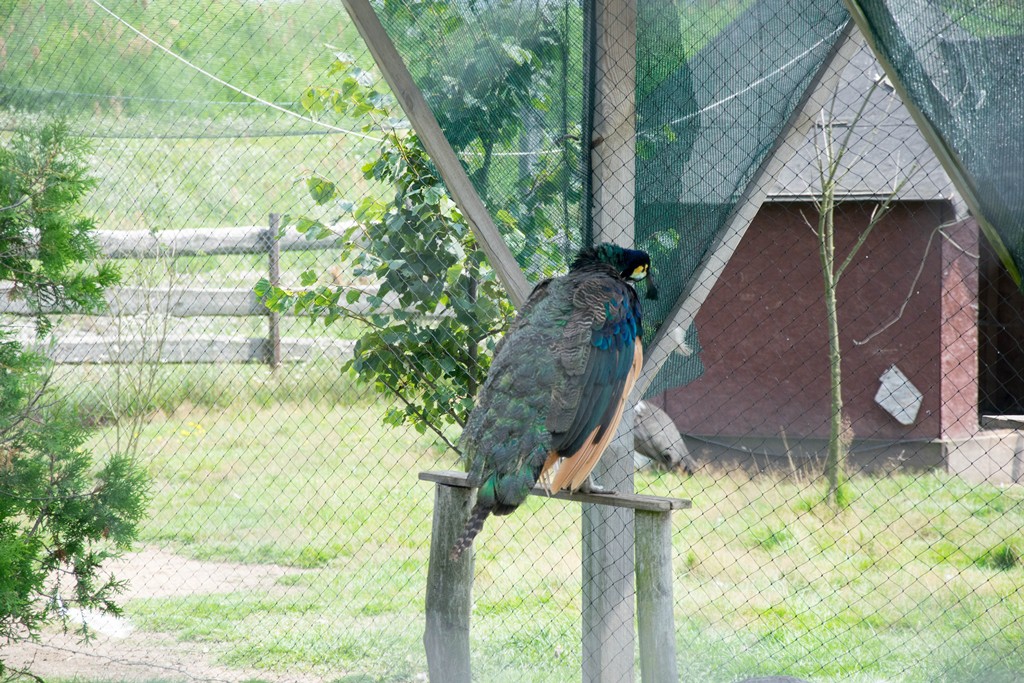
(558, 386)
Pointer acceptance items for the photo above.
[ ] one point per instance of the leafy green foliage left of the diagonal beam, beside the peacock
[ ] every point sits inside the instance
(437, 304)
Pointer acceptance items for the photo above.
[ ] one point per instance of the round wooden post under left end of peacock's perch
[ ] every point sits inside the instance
(449, 589)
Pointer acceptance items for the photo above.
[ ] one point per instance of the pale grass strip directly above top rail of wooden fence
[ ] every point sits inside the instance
(164, 185)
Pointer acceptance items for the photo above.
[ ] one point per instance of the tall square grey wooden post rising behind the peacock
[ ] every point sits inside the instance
(609, 596)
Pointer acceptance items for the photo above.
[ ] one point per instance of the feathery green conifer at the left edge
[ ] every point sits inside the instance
(63, 514)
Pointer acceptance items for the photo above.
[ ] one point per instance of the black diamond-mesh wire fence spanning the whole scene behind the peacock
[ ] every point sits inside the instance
(760, 154)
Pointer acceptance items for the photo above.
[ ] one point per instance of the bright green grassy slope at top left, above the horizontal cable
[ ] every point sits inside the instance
(272, 50)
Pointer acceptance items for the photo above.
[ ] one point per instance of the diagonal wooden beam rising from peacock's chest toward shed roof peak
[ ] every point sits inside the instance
(822, 88)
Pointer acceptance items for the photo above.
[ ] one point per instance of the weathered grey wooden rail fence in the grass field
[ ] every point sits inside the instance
(190, 303)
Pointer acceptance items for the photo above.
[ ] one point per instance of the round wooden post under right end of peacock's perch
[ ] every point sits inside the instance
(656, 622)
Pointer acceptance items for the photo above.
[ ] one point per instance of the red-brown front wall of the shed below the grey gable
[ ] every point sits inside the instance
(764, 335)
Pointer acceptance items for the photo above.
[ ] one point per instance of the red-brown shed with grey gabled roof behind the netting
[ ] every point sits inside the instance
(910, 302)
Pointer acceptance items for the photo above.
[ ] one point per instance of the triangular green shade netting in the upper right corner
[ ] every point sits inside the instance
(960, 63)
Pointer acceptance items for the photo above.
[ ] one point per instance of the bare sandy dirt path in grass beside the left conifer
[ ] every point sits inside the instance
(122, 654)
